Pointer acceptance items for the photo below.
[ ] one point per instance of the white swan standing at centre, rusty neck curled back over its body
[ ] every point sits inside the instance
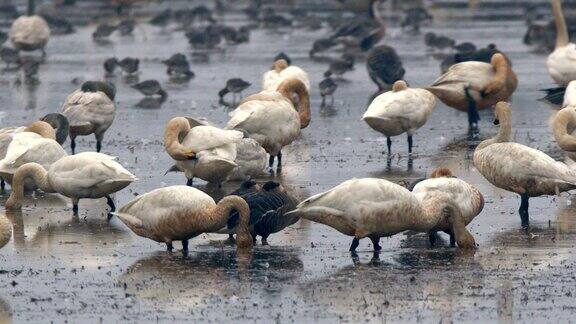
(270, 118)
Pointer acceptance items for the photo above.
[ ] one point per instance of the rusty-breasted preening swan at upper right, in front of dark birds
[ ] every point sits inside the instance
(472, 86)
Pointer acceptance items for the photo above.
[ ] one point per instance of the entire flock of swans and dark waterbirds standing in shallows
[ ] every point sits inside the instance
(262, 124)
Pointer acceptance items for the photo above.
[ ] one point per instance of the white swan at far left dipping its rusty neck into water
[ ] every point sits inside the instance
(85, 175)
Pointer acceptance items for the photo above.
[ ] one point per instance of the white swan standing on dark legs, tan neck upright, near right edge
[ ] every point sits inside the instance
(518, 168)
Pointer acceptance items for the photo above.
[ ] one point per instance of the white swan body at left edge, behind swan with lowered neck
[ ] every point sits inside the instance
(28, 147)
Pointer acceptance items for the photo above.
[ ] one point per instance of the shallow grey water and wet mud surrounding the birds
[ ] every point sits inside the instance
(86, 269)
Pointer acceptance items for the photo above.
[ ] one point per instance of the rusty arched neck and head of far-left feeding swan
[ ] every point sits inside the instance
(32, 171)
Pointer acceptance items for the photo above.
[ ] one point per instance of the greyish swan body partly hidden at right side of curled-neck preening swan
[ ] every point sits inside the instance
(251, 159)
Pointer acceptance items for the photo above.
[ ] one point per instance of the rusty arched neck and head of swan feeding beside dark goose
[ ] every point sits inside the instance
(222, 212)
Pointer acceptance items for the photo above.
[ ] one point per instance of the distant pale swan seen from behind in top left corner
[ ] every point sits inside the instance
(30, 32)
